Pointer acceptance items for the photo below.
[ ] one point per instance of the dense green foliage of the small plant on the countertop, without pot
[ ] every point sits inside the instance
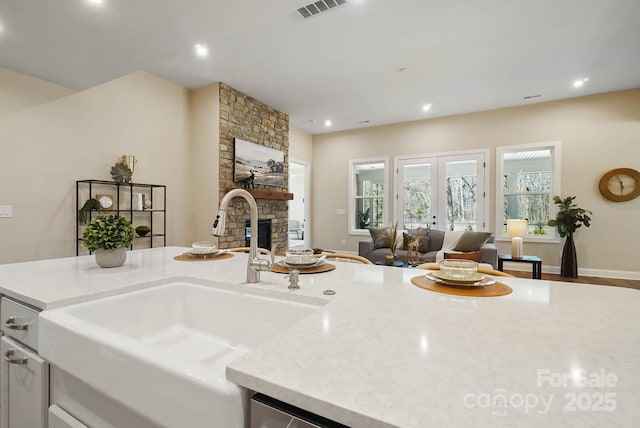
(108, 232)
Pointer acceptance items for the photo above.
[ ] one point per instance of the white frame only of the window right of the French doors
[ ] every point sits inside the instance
(555, 189)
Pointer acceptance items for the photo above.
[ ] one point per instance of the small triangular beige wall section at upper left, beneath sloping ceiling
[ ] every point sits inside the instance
(20, 92)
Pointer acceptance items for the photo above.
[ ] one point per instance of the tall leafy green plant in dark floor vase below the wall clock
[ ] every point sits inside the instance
(569, 218)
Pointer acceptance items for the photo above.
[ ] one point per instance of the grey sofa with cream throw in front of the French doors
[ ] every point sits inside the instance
(435, 252)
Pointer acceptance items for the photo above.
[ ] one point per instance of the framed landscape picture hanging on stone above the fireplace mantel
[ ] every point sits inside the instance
(266, 164)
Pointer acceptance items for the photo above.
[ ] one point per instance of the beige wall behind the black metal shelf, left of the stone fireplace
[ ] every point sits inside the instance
(46, 148)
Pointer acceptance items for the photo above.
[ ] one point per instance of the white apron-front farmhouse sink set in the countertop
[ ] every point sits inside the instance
(162, 351)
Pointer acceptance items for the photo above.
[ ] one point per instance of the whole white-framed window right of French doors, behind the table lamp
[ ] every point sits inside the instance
(528, 177)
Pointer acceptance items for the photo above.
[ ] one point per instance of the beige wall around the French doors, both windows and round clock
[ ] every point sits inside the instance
(598, 133)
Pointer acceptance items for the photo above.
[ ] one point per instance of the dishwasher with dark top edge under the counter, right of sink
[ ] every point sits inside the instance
(267, 412)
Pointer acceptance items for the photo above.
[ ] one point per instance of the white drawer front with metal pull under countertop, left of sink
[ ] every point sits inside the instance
(19, 322)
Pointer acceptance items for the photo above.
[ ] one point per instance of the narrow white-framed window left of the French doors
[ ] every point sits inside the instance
(367, 205)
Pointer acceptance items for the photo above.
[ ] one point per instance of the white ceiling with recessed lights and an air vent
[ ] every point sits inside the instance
(461, 55)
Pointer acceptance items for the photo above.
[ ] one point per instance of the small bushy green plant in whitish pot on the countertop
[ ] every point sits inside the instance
(109, 236)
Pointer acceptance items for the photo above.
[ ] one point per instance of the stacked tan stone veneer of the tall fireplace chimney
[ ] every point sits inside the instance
(248, 119)
